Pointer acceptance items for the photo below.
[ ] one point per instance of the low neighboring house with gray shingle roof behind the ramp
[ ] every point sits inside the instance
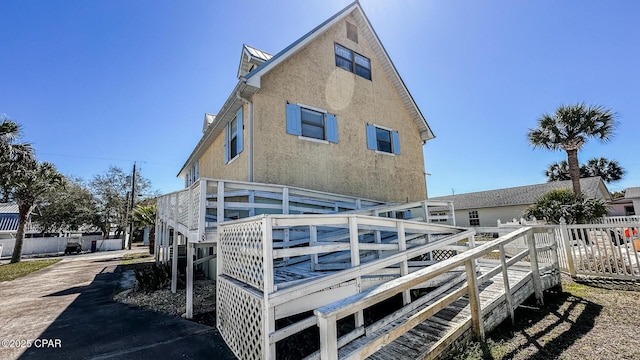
(485, 208)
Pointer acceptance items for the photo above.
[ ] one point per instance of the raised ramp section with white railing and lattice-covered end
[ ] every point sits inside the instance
(327, 257)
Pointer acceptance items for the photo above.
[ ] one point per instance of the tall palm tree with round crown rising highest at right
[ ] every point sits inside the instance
(569, 128)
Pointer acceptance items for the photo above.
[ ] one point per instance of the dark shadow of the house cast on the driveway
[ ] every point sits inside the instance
(94, 326)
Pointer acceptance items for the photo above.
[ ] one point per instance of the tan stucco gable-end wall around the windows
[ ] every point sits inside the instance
(311, 77)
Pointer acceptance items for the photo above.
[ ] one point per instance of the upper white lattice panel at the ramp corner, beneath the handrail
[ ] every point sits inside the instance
(241, 252)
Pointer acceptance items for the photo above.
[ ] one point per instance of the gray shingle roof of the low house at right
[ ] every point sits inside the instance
(592, 187)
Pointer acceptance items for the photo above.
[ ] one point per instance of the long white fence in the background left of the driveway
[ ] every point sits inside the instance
(52, 245)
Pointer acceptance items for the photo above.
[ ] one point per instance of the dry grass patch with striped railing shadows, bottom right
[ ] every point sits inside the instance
(598, 320)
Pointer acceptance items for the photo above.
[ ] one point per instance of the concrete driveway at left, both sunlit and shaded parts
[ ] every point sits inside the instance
(65, 312)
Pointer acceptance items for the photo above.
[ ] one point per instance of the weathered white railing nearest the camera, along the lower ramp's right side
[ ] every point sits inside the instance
(328, 315)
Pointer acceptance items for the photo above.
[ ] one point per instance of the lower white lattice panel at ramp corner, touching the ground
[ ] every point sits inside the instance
(240, 319)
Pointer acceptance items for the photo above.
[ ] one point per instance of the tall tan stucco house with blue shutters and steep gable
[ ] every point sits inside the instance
(329, 113)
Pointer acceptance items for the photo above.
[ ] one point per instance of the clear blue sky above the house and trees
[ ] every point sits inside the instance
(109, 82)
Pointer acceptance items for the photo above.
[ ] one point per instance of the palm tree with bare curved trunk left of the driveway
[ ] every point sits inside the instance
(30, 182)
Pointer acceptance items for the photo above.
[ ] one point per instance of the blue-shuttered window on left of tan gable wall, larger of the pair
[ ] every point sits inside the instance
(311, 123)
